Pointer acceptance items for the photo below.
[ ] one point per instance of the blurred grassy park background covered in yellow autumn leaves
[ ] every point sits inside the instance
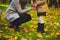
(28, 29)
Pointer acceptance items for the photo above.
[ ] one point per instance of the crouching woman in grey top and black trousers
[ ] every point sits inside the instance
(16, 13)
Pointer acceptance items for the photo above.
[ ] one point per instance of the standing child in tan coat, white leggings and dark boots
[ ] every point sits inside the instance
(41, 12)
